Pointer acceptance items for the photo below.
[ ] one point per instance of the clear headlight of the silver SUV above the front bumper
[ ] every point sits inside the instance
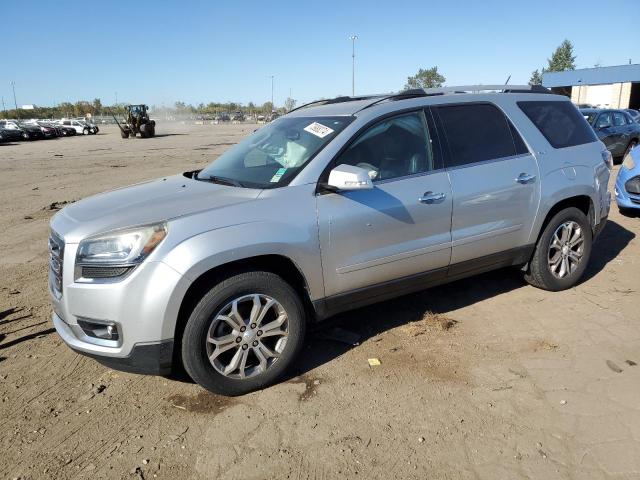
(122, 247)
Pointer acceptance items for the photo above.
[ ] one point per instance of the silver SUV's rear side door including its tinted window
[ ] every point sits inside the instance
(495, 184)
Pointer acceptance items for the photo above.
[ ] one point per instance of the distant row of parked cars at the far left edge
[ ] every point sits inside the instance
(18, 130)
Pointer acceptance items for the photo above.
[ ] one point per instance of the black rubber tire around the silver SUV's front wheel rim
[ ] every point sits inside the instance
(194, 343)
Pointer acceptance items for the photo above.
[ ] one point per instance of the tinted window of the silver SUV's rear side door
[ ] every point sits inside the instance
(476, 132)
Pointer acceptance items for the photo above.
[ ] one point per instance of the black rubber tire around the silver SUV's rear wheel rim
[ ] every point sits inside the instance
(539, 273)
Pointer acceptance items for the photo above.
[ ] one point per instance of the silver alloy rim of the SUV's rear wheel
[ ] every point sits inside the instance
(566, 249)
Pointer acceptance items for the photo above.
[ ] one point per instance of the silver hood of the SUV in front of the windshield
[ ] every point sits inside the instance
(145, 203)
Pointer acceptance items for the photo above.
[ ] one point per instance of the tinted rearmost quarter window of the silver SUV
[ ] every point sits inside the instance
(560, 122)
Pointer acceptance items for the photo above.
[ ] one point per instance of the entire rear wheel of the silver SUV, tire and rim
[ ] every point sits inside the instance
(562, 252)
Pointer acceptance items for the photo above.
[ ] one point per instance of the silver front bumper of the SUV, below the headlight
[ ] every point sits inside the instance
(144, 306)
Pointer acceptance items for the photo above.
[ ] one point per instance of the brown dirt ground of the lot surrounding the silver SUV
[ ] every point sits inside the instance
(484, 378)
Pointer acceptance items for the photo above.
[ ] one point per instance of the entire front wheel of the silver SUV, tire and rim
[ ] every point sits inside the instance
(243, 334)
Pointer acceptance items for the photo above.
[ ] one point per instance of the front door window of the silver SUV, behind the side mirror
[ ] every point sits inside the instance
(392, 148)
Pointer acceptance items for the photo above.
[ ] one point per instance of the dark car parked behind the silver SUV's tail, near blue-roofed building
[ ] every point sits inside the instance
(615, 128)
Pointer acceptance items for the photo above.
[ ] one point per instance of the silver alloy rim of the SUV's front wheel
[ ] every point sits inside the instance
(247, 336)
